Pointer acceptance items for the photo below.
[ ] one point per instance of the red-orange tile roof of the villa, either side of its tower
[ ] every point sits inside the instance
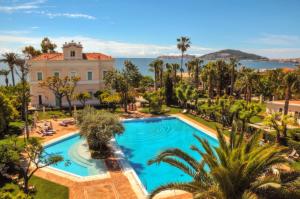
(60, 56)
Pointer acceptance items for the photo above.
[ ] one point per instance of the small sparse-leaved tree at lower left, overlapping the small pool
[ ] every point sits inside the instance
(34, 155)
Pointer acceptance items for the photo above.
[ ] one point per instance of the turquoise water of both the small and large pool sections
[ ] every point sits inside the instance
(141, 141)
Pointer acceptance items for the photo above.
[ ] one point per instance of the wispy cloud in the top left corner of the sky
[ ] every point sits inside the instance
(21, 6)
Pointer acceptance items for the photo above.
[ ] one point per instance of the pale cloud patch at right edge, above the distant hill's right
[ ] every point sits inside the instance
(272, 39)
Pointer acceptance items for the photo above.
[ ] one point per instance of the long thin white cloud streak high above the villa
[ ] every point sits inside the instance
(52, 15)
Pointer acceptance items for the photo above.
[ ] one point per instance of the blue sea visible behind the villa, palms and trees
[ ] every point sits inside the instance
(143, 64)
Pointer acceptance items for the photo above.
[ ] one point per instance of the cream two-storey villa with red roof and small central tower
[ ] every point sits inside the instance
(90, 67)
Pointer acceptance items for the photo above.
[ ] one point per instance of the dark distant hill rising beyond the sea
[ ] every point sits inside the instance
(227, 53)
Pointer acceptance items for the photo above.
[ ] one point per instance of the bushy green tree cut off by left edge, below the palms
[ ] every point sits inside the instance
(7, 113)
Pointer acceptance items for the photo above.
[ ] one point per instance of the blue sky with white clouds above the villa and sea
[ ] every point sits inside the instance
(149, 28)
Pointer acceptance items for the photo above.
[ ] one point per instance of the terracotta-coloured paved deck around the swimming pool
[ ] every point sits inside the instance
(117, 185)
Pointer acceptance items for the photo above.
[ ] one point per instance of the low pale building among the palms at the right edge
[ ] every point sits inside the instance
(278, 106)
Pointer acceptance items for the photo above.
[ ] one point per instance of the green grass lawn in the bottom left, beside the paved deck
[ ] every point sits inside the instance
(45, 189)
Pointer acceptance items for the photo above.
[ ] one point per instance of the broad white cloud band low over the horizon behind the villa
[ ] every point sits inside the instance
(114, 48)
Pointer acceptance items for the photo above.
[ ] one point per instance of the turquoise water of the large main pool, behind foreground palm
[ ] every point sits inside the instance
(144, 139)
